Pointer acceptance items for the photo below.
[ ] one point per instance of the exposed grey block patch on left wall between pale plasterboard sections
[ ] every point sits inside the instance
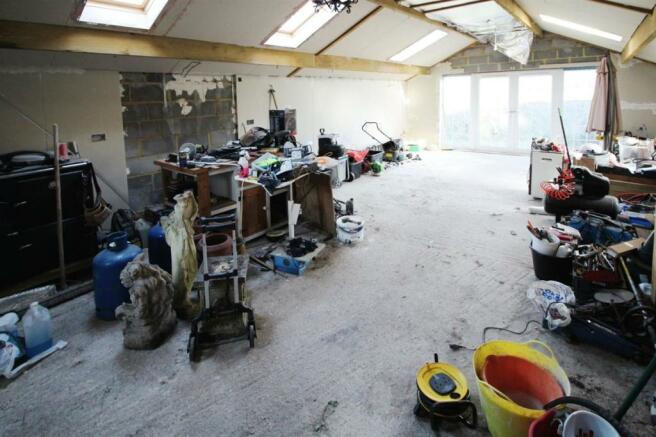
(163, 111)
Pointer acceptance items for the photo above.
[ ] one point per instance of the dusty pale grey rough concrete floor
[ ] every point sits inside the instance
(445, 255)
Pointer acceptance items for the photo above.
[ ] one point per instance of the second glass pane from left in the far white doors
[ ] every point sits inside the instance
(494, 111)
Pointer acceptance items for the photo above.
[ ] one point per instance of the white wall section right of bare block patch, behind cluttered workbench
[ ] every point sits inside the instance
(335, 104)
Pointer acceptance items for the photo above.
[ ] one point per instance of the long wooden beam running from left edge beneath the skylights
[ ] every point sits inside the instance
(32, 36)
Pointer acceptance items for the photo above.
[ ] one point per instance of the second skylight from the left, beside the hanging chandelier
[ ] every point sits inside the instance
(300, 26)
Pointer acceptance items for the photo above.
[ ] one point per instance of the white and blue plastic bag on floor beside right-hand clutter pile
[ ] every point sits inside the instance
(552, 298)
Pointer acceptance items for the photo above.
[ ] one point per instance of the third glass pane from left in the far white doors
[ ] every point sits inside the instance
(534, 108)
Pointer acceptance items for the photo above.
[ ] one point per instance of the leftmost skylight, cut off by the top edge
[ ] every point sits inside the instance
(138, 14)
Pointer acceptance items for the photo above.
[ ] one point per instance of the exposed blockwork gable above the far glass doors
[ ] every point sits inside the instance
(550, 49)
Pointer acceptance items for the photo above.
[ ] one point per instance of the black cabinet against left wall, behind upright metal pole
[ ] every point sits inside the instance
(28, 228)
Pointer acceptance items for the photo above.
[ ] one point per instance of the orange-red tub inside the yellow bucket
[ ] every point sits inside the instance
(523, 382)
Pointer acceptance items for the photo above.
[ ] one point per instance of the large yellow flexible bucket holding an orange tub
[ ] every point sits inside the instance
(504, 417)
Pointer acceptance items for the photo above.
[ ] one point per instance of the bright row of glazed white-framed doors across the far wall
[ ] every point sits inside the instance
(512, 108)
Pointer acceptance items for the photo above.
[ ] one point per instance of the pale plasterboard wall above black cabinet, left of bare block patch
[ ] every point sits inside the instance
(82, 103)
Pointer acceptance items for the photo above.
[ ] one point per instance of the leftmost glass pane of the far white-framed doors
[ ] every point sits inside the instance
(456, 114)
